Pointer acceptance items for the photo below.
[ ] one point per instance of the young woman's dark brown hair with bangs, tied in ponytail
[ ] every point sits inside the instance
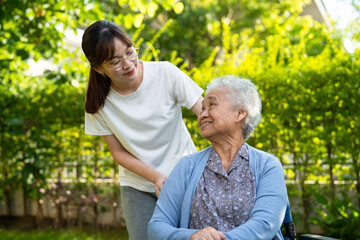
(98, 44)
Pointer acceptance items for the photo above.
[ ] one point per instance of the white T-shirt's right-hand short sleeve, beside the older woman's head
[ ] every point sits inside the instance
(184, 89)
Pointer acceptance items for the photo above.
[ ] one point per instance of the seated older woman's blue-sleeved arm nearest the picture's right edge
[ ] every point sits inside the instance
(270, 205)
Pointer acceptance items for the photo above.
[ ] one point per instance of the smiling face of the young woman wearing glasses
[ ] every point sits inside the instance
(122, 67)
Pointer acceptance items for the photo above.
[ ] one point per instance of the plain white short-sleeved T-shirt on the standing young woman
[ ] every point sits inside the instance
(148, 122)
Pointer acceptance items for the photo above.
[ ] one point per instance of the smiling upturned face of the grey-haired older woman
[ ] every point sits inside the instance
(218, 118)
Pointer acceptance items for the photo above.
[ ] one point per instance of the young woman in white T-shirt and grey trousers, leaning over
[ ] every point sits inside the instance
(136, 107)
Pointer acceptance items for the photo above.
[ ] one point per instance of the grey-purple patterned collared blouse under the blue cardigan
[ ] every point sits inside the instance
(224, 200)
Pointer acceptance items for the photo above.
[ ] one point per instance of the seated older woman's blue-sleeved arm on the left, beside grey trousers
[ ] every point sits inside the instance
(165, 223)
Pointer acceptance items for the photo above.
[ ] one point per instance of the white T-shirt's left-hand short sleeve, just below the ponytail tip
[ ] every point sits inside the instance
(96, 125)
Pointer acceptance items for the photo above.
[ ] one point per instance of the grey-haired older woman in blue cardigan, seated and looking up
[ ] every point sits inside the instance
(229, 190)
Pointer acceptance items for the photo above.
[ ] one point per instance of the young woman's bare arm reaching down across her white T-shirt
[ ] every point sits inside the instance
(128, 161)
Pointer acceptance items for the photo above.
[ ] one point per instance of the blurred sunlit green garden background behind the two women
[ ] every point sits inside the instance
(303, 56)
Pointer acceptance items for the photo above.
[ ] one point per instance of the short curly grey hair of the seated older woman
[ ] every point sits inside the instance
(243, 95)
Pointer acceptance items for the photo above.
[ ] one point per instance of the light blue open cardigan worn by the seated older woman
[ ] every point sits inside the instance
(172, 212)
